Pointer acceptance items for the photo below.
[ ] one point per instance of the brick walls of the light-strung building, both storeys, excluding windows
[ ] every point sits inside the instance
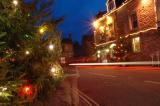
(147, 18)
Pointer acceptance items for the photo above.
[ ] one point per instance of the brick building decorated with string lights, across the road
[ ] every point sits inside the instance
(138, 21)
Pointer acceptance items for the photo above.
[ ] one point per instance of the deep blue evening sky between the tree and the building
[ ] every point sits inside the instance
(78, 15)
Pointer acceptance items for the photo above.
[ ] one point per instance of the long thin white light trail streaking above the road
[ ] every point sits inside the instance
(117, 63)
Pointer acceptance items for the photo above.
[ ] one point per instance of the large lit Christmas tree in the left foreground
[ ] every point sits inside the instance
(29, 54)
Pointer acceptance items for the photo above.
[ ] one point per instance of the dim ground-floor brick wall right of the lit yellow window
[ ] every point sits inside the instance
(150, 45)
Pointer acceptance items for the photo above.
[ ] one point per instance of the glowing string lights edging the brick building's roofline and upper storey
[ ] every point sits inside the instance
(97, 25)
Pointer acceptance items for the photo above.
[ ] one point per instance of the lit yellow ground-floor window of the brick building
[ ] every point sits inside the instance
(136, 44)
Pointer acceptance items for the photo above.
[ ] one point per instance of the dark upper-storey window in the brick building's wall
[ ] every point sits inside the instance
(133, 21)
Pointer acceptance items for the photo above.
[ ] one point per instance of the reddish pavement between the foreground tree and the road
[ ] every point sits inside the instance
(66, 93)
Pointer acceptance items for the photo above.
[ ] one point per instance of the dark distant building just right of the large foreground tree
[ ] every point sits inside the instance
(67, 47)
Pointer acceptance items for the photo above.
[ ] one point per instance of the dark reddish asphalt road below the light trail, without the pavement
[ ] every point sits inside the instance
(120, 86)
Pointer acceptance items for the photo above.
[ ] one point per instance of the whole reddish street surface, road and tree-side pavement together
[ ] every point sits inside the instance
(108, 86)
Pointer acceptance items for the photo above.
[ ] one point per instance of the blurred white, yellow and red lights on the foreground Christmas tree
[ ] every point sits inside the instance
(54, 70)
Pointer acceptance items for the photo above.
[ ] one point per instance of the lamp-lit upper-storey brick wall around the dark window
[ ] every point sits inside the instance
(145, 15)
